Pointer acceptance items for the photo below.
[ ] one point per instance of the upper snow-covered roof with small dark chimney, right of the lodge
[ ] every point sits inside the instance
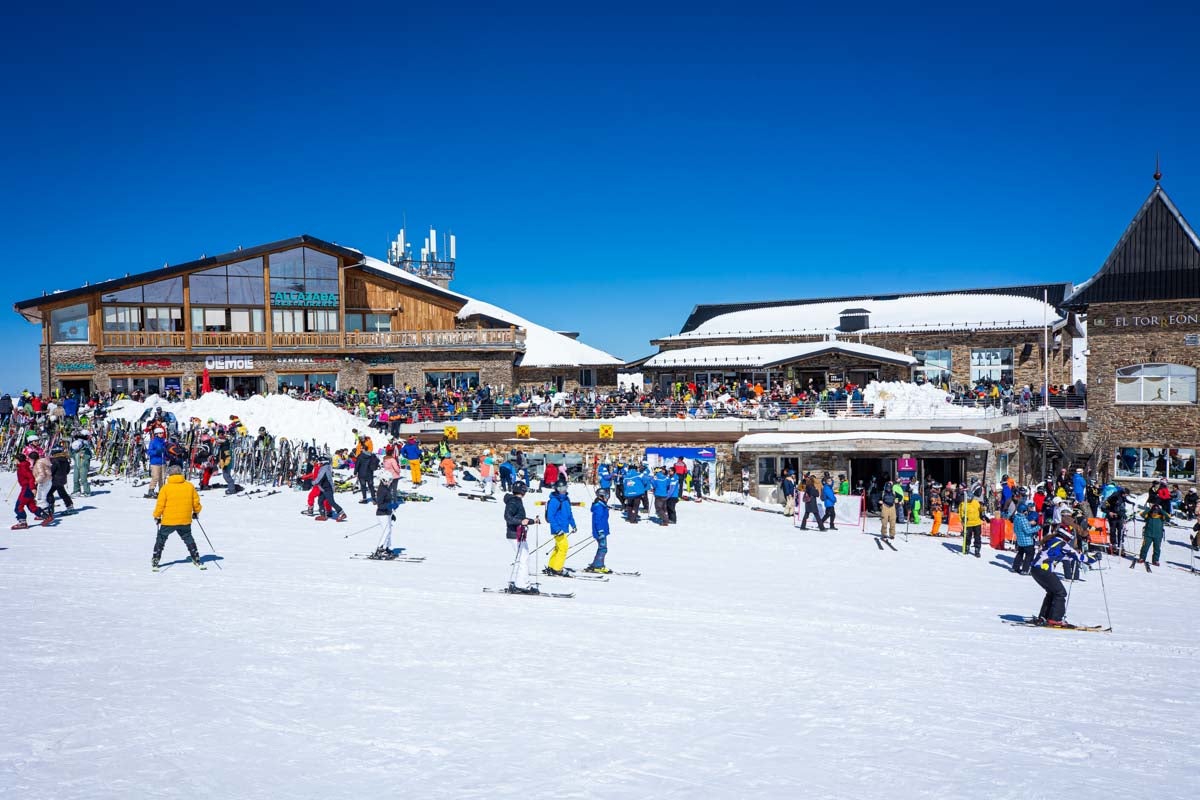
(951, 311)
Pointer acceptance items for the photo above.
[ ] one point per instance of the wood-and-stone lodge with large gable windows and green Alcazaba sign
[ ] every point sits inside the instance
(295, 314)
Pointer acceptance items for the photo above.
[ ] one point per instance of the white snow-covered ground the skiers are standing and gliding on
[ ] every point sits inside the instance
(751, 660)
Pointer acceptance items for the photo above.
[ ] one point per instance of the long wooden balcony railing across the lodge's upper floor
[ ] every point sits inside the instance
(465, 338)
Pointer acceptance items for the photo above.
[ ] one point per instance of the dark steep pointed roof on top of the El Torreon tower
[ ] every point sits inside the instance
(1157, 258)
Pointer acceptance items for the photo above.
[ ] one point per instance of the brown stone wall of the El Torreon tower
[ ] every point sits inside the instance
(1124, 335)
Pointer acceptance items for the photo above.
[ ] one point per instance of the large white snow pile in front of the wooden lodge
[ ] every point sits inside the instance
(280, 414)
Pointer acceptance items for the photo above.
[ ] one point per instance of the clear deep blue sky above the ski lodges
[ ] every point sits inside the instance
(607, 167)
